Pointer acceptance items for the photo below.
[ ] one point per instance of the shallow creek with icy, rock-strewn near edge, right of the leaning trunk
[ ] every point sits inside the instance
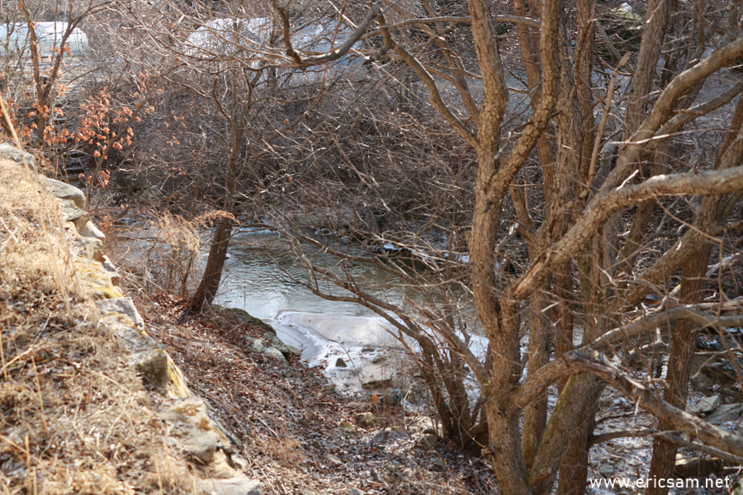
(350, 342)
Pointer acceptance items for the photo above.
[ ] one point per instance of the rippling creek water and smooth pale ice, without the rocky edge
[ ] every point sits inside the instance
(262, 277)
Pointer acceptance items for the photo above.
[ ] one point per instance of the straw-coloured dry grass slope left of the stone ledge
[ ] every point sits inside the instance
(75, 416)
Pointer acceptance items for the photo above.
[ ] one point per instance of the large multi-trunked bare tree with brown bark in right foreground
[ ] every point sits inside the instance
(582, 195)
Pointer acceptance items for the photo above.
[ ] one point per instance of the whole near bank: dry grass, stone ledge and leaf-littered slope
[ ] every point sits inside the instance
(93, 403)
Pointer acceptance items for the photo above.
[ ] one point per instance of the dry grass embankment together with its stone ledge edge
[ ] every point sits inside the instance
(77, 415)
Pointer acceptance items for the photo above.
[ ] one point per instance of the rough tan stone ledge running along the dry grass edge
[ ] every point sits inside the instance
(189, 426)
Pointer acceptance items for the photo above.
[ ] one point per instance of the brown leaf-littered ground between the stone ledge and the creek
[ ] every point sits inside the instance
(297, 433)
